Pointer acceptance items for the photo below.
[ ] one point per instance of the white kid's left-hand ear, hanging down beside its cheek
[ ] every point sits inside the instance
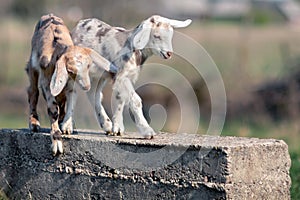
(142, 36)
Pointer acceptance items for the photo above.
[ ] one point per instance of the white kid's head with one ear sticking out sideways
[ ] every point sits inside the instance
(156, 33)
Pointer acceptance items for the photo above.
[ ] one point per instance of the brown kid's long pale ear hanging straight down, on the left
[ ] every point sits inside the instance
(59, 77)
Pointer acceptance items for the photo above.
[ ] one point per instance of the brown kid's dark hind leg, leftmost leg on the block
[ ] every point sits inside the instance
(33, 96)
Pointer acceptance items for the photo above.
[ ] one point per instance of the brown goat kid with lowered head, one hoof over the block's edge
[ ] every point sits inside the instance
(54, 65)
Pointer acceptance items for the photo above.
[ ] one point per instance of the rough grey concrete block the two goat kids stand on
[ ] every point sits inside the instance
(170, 166)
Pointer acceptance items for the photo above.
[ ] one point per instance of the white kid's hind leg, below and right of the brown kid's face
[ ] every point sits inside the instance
(95, 96)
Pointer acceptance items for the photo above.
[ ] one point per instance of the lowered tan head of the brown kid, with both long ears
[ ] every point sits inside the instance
(75, 63)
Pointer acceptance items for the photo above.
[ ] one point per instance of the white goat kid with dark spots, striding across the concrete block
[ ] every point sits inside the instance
(127, 49)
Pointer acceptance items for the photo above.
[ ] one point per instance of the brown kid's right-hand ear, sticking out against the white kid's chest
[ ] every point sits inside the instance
(101, 62)
